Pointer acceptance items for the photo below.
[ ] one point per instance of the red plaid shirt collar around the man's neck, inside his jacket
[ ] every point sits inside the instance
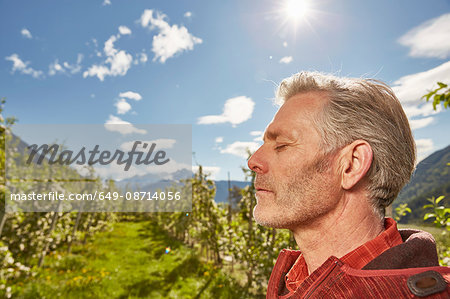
(356, 259)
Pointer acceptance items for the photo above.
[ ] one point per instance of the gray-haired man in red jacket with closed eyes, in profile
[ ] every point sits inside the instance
(336, 154)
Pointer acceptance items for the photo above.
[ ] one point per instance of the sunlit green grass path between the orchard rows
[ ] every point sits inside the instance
(129, 262)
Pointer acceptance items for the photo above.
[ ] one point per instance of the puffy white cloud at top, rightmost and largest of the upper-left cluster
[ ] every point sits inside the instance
(170, 39)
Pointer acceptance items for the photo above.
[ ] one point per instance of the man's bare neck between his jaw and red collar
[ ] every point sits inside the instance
(337, 233)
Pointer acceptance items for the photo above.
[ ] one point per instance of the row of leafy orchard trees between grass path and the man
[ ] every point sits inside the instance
(227, 240)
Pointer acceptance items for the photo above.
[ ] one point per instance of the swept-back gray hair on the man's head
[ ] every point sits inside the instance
(364, 109)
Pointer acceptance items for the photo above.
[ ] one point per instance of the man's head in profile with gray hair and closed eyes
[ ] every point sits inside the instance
(320, 117)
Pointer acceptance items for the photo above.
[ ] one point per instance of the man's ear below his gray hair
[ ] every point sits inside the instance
(355, 162)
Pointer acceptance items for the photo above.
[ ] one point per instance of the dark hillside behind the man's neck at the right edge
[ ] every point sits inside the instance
(431, 178)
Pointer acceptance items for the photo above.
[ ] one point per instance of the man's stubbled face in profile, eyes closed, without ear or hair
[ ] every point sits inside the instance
(294, 182)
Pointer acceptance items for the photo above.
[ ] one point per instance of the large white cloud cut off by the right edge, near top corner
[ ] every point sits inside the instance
(430, 39)
